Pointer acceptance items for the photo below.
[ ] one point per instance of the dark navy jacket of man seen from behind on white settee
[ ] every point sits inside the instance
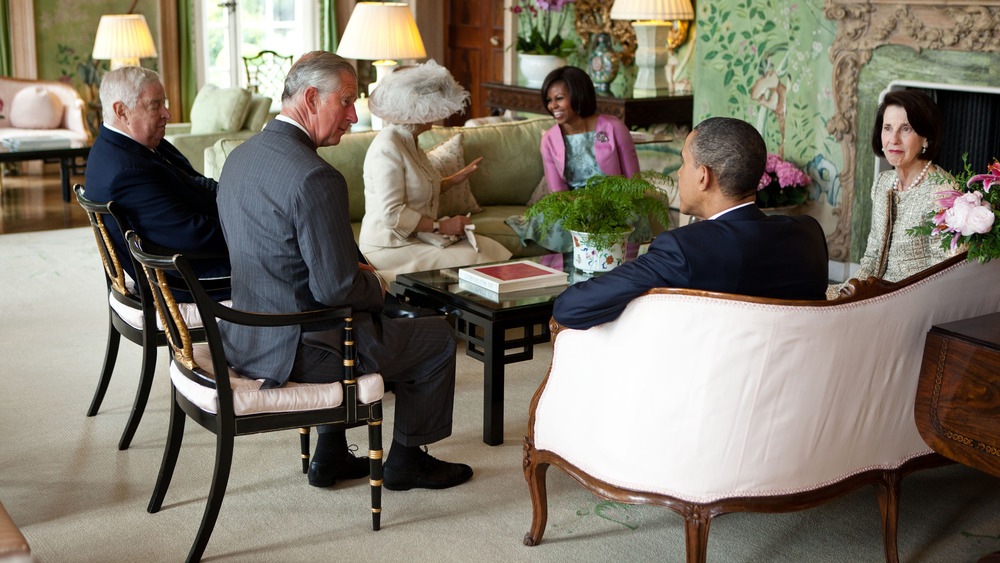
(744, 252)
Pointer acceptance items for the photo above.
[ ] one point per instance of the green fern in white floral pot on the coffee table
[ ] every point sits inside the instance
(601, 215)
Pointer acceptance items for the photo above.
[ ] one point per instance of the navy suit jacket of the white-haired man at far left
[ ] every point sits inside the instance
(168, 202)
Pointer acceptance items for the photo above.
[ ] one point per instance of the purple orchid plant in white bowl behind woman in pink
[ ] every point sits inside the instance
(539, 27)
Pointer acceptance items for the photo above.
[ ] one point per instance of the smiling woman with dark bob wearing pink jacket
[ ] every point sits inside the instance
(583, 143)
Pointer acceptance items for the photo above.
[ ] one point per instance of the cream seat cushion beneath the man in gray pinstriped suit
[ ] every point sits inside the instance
(249, 398)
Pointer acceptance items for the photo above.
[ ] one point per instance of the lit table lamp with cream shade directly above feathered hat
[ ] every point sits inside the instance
(382, 32)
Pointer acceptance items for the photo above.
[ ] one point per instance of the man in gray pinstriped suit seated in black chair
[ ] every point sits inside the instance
(284, 212)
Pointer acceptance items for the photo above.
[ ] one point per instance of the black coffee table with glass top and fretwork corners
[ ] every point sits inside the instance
(483, 322)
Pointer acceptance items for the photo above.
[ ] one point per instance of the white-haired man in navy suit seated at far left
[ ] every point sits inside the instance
(168, 203)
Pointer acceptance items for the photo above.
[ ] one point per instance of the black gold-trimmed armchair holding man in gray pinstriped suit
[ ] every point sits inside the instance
(242, 407)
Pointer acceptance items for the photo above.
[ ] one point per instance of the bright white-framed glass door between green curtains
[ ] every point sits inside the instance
(232, 29)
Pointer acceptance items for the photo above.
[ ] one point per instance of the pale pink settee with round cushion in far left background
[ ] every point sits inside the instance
(40, 108)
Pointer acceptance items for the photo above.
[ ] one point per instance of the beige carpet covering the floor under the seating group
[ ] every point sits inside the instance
(77, 498)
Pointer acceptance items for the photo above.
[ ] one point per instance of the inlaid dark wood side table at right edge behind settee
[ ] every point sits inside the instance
(957, 409)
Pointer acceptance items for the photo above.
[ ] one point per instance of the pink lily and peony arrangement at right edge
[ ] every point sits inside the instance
(968, 217)
